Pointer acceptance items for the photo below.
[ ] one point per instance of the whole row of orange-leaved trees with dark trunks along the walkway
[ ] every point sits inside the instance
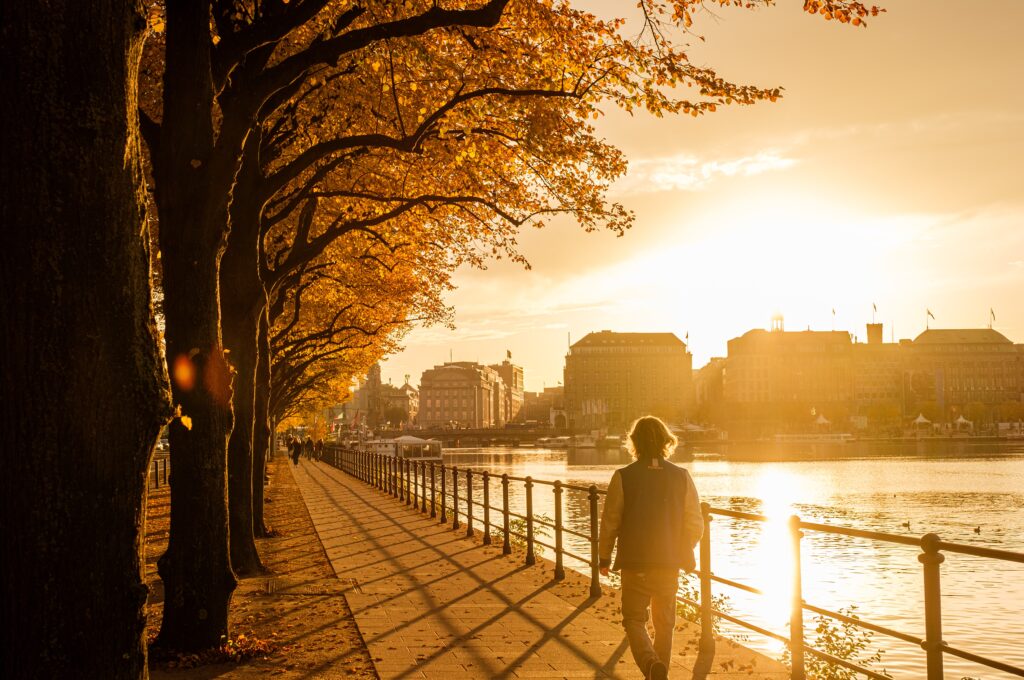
(304, 177)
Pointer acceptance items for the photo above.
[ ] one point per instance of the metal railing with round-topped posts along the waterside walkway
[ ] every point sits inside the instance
(408, 481)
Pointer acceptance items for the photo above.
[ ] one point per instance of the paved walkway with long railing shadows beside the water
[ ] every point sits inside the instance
(432, 604)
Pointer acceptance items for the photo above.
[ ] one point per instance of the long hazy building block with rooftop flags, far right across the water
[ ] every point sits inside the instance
(778, 381)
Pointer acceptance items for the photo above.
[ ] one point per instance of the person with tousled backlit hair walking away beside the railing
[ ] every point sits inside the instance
(654, 513)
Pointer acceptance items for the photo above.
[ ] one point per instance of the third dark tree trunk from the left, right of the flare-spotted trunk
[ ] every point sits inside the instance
(243, 303)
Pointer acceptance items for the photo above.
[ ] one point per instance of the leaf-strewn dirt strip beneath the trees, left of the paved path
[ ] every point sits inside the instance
(290, 623)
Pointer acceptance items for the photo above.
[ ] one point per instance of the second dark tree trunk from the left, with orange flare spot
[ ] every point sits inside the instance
(193, 188)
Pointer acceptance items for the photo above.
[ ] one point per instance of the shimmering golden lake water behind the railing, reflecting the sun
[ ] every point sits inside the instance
(954, 496)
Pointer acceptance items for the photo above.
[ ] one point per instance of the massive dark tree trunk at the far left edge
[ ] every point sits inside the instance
(82, 385)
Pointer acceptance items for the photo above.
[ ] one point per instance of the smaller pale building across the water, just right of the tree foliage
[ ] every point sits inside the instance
(462, 395)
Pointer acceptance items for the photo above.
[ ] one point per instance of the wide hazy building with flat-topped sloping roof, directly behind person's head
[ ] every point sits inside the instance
(614, 378)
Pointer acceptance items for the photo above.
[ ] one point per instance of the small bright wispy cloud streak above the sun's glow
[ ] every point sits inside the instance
(690, 174)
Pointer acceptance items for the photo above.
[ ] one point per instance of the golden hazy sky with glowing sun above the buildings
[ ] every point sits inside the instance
(891, 173)
